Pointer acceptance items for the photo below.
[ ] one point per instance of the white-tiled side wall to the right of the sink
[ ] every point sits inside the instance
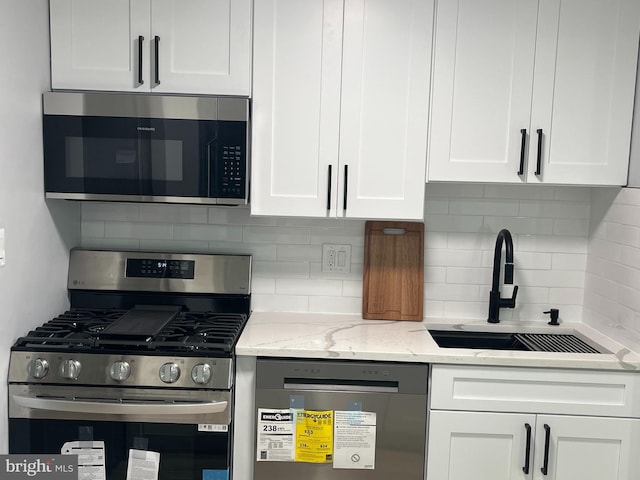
(612, 288)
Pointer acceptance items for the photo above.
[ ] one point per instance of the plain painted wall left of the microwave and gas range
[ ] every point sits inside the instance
(33, 282)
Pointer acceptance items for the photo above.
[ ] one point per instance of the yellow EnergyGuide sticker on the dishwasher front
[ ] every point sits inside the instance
(314, 436)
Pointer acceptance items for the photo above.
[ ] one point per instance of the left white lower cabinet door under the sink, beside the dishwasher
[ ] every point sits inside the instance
(478, 445)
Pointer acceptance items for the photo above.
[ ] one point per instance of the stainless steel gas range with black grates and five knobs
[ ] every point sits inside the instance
(139, 373)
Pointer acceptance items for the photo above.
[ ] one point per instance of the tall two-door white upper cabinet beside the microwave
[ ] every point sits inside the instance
(340, 102)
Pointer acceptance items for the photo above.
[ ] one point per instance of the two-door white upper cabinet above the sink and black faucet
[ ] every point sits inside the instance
(533, 91)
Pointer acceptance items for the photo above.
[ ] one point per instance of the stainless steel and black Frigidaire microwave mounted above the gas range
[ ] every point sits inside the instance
(146, 148)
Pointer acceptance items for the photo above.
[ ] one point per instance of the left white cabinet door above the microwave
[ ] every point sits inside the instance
(95, 45)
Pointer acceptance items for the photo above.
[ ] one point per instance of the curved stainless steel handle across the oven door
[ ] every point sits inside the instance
(109, 408)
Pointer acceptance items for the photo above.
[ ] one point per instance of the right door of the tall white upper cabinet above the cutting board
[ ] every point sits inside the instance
(385, 103)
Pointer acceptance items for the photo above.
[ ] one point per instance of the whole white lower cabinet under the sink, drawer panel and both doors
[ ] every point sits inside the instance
(594, 439)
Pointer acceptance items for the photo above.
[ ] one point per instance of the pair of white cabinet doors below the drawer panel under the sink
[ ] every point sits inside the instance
(508, 446)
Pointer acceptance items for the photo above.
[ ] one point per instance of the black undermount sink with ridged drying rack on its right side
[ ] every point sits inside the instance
(532, 342)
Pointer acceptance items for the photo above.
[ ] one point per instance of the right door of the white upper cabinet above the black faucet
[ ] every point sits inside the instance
(585, 74)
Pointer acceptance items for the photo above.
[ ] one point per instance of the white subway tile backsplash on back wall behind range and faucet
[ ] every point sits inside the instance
(550, 226)
